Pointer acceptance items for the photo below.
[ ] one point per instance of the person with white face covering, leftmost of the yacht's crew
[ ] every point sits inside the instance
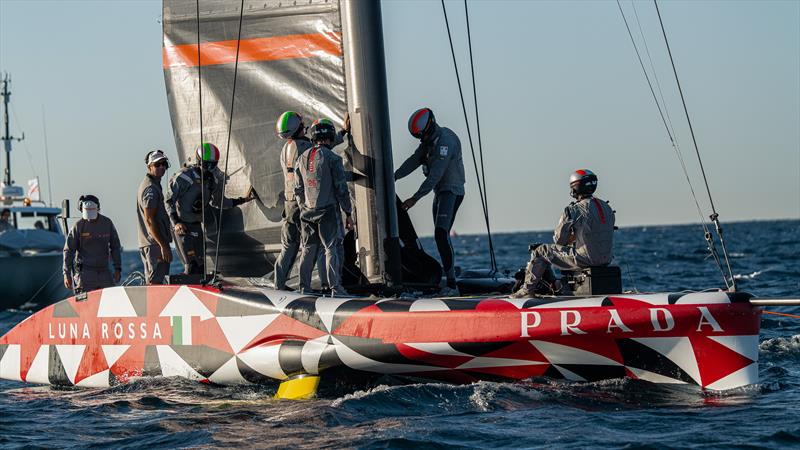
(91, 242)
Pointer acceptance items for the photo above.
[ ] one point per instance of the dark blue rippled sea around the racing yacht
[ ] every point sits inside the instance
(535, 413)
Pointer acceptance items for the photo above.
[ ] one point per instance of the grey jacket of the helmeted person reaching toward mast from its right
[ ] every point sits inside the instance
(441, 161)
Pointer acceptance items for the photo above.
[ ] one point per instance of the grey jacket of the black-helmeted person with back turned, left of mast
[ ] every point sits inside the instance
(320, 180)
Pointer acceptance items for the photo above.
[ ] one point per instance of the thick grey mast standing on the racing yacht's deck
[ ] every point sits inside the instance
(376, 216)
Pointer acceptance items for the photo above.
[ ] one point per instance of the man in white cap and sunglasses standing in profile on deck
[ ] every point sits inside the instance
(153, 222)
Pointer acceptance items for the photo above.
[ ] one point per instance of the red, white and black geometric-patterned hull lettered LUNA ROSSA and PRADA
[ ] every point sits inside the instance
(249, 335)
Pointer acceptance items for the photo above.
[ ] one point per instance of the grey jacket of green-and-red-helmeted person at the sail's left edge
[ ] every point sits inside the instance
(183, 201)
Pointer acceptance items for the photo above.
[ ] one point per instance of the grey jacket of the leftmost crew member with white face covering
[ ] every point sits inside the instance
(89, 244)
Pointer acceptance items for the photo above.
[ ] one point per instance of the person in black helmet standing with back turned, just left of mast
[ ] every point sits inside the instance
(321, 191)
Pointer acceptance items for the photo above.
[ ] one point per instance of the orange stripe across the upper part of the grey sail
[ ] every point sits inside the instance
(257, 49)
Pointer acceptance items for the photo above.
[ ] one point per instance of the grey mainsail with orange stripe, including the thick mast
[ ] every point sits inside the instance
(303, 57)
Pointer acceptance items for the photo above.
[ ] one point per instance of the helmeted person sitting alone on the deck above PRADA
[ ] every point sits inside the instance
(584, 236)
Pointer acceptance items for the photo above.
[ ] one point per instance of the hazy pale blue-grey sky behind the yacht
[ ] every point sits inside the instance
(558, 83)
